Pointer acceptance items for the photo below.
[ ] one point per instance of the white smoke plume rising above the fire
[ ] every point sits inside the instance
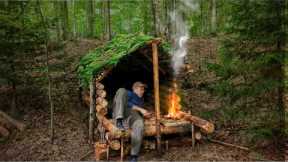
(180, 33)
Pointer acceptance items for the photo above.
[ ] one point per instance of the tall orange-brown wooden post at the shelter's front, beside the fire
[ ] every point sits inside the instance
(156, 94)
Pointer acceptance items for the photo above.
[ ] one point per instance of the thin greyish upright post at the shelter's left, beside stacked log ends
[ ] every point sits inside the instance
(92, 109)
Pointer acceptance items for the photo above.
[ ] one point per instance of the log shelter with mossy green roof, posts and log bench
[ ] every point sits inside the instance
(118, 64)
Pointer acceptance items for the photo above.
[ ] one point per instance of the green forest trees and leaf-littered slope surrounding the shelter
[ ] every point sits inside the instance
(236, 48)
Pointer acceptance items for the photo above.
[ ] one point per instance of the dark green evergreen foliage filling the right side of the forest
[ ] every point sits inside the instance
(249, 68)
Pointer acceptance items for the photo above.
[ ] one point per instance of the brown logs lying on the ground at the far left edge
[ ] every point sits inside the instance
(7, 123)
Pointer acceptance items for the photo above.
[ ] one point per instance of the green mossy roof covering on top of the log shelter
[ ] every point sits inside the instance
(111, 53)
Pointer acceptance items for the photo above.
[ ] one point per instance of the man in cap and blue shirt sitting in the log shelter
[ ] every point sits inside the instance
(128, 106)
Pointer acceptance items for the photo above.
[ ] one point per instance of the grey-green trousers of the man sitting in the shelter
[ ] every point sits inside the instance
(134, 118)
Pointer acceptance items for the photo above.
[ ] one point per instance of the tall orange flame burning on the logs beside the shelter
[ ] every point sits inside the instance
(174, 102)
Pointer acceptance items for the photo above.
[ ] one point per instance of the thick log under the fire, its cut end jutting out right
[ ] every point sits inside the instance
(205, 126)
